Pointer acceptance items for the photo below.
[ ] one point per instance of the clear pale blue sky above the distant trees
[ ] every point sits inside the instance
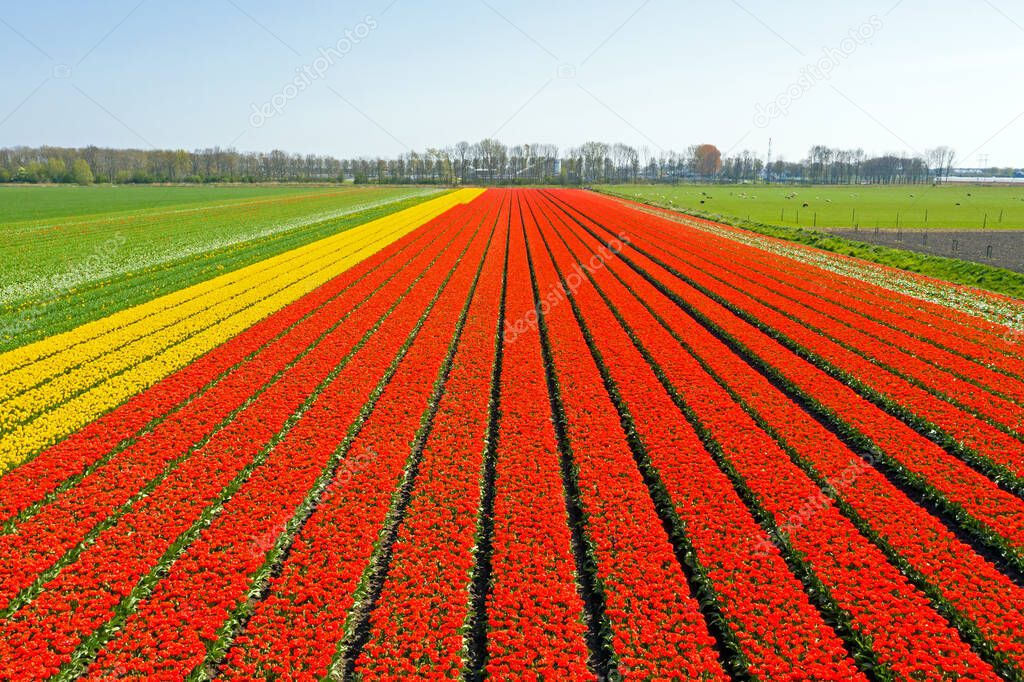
(663, 73)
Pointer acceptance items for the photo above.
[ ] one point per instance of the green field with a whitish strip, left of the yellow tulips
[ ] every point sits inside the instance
(76, 254)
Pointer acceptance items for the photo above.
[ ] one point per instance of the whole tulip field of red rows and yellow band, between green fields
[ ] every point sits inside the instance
(521, 435)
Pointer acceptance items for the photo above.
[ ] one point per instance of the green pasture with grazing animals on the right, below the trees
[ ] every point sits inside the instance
(844, 206)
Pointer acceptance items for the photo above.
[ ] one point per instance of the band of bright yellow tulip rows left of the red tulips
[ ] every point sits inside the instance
(63, 402)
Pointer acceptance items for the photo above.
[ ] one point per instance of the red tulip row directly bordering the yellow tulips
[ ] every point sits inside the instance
(64, 464)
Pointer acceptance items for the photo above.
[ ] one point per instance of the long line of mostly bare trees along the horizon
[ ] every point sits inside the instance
(487, 162)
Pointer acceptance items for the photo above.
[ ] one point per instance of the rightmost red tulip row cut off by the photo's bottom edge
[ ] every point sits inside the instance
(907, 635)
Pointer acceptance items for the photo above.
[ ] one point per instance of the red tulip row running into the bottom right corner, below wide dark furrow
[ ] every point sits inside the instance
(949, 570)
